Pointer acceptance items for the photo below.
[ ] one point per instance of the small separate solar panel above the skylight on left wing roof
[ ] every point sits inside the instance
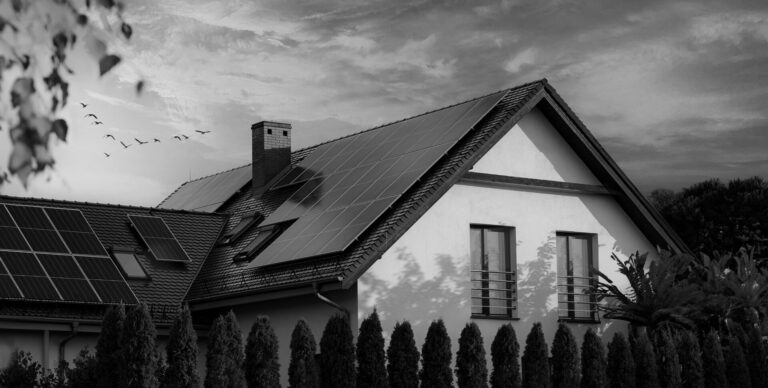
(159, 238)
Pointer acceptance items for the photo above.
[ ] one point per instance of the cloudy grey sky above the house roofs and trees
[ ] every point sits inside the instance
(676, 91)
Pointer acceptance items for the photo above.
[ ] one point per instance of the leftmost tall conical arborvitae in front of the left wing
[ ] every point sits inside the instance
(109, 359)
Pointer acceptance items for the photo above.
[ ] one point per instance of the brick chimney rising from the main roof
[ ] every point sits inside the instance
(271, 151)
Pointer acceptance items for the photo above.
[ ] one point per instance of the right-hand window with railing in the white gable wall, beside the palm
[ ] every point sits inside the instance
(575, 258)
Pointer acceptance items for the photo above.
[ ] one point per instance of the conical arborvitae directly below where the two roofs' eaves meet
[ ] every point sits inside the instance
(181, 354)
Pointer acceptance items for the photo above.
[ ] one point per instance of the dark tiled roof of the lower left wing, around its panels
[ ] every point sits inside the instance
(168, 282)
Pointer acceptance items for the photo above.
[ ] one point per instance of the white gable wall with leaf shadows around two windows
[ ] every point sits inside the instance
(425, 274)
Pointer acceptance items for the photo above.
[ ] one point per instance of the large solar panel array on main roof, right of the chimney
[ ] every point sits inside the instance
(348, 183)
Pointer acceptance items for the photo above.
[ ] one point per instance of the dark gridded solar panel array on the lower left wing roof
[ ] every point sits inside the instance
(52, 254)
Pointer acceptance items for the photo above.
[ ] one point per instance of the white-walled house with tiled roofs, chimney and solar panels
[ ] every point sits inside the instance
(491, 210)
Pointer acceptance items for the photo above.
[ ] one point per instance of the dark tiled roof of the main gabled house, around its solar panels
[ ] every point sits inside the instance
(222, 278)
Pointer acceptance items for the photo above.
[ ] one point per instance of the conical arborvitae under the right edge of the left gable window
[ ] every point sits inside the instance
(505, 353)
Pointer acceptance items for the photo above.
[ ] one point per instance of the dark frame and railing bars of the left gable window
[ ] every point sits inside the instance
(510, 277)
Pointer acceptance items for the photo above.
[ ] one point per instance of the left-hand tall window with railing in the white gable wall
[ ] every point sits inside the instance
(494, 285)
